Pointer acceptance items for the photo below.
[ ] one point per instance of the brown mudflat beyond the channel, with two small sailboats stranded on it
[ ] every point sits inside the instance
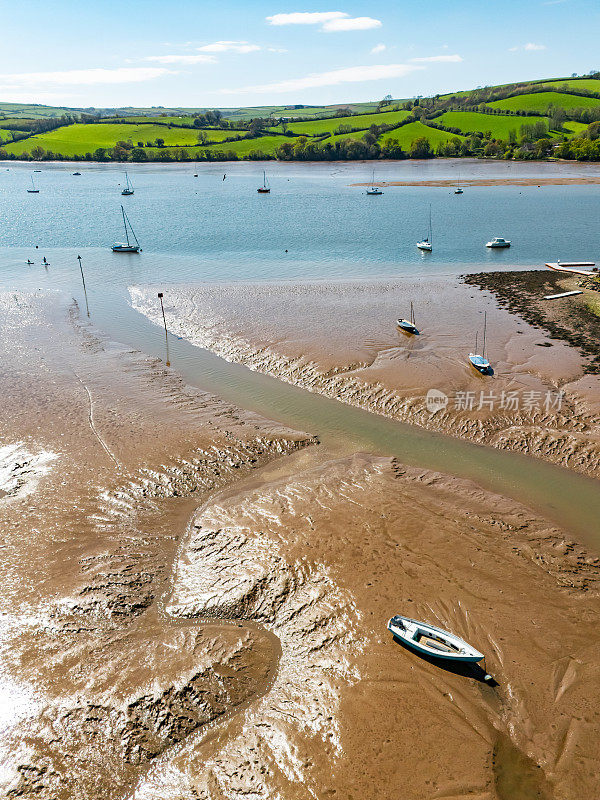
(340, 339)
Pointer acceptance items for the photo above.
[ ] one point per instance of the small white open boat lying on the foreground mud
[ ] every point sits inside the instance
(429, 640)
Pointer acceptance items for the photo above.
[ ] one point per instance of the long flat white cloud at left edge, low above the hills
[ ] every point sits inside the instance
(82, 77)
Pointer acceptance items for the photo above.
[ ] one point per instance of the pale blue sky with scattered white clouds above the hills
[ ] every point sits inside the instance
(230, 53)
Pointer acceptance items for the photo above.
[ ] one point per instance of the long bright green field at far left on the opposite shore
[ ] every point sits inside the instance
(80, 139)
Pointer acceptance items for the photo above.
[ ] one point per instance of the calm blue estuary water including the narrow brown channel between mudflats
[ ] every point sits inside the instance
(205, 229)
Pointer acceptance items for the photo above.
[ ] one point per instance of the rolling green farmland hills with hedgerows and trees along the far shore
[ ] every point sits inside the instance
(520, 122)
